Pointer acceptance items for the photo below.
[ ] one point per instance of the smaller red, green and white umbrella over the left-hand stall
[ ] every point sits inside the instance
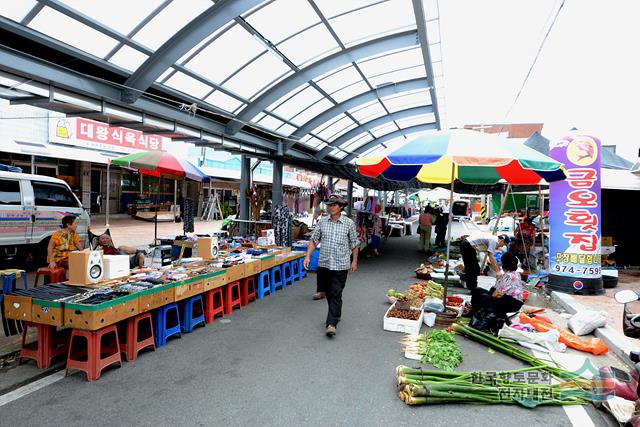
(161, 163)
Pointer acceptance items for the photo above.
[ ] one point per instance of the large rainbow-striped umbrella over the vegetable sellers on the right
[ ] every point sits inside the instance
(469, 156)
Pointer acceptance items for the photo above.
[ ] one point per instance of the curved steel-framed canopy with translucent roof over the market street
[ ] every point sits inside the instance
(310, 79)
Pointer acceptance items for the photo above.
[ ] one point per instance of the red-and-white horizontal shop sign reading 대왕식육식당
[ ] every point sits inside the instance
(85, 133)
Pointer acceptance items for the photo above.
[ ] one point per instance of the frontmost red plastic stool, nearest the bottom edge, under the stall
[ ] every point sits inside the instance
(94, 363)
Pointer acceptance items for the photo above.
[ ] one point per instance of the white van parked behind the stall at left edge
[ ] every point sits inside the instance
(31, 210)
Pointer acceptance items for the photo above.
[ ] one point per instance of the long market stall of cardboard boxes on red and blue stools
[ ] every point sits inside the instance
(181, 295)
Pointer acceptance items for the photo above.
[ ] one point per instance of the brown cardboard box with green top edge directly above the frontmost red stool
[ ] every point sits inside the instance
(92, 317)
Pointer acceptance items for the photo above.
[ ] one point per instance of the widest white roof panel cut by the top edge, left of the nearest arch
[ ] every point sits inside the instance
(123, 23)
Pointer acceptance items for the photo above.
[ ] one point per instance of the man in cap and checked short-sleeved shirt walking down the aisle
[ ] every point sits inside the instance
(336, 235)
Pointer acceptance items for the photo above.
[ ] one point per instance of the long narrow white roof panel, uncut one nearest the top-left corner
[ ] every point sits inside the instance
(72, 32)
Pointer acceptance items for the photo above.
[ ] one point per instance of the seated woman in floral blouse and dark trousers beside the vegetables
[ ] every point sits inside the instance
(507, 295)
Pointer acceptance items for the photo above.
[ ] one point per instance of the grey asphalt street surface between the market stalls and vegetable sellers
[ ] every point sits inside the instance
(273, 365)
